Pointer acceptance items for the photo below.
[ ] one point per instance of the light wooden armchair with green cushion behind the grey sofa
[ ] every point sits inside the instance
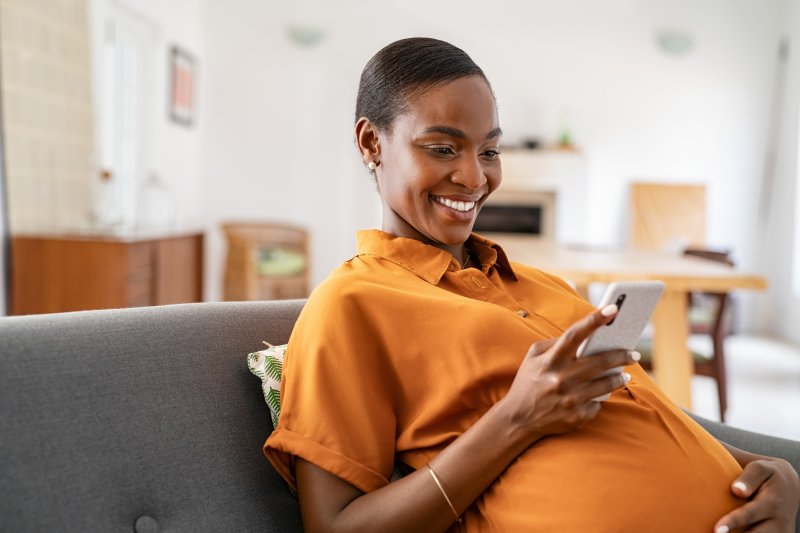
(265, 261)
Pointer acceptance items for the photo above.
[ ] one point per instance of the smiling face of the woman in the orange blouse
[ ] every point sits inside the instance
(440, 163)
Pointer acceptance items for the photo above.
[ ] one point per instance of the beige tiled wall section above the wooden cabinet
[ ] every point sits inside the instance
(46, 91)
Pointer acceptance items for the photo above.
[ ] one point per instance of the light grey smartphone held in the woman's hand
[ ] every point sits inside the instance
(635, 302)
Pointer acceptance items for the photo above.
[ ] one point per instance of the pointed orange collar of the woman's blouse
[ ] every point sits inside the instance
(427, 261)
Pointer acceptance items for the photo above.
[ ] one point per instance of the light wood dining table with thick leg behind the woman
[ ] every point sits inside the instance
(583, 265)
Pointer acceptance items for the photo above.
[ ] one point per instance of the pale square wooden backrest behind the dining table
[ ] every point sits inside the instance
(667, 216)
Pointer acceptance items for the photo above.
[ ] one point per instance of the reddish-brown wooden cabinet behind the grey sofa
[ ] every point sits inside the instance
(56, 273)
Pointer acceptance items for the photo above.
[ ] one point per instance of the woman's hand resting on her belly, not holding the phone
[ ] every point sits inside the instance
(772, 488)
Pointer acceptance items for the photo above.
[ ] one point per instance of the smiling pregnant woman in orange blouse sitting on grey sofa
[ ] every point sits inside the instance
(431, 351)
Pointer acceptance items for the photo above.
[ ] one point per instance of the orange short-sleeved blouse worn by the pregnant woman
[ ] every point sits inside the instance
(400, 351)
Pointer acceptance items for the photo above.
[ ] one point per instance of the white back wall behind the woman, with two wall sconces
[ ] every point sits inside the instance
(279, 145)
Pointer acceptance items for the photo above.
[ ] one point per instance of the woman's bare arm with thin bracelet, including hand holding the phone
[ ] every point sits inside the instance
(551, 394)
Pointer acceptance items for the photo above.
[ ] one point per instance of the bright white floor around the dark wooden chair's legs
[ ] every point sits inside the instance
(763, 386)
